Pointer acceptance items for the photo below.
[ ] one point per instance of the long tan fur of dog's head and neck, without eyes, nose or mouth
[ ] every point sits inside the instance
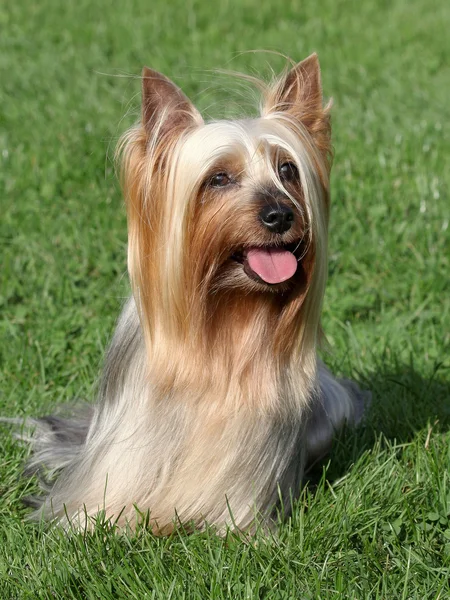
(181, 235)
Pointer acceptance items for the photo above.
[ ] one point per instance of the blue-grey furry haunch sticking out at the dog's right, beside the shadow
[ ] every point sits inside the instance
(340, 401)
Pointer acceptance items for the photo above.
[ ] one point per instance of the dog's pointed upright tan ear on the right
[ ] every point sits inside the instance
(299, 93)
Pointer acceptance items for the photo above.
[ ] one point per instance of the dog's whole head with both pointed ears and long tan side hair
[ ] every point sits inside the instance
(236, 210)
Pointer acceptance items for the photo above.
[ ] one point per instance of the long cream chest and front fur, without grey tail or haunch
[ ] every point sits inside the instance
(187, 453)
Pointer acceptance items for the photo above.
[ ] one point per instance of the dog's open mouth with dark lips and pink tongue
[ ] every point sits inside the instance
(271, 265)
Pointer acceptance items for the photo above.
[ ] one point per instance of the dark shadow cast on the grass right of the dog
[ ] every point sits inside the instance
(403, 404)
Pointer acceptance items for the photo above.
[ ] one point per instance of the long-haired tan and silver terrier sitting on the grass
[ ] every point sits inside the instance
(213, 401)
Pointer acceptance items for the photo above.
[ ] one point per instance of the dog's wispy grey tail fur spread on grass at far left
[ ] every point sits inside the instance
(55, 442)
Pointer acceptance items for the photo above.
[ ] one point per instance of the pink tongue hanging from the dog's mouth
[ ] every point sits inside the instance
(272, 265)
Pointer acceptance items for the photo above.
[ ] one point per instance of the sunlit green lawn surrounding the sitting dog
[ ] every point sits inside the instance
(376, 522)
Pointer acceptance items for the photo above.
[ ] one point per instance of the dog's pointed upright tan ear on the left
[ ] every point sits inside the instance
(164, 106)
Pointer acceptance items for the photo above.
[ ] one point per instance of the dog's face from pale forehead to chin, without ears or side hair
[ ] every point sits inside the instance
(251, 227)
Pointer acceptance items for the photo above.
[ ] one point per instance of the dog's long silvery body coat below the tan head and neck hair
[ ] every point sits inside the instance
(100, 454)
